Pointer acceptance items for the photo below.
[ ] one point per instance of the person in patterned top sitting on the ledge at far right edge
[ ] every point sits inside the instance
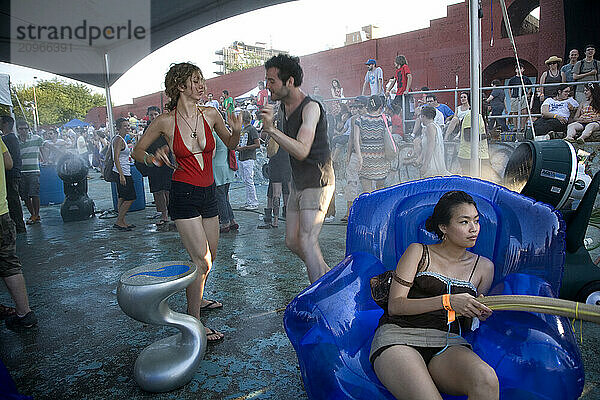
(587, 117)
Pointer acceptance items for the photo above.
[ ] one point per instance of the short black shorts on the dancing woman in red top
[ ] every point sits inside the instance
(189, 201)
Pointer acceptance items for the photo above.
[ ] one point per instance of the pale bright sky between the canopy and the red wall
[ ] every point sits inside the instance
(299, 27)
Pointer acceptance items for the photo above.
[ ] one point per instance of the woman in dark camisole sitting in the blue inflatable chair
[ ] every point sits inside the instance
(418, 349)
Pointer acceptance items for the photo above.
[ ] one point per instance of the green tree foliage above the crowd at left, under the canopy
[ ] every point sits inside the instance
(58, 102)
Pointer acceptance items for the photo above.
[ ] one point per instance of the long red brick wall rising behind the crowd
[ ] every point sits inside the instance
(435, 56)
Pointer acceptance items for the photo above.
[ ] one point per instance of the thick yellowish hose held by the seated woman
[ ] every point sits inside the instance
(544, 305)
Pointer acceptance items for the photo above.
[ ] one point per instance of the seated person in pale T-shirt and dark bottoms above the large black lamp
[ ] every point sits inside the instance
(556, 112)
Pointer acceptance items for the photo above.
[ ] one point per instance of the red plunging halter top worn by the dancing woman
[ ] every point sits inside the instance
(189, 170)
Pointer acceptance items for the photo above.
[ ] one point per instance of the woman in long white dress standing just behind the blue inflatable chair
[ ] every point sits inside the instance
(431, 160)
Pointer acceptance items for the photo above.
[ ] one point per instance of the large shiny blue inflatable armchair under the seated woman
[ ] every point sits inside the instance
(331, 323)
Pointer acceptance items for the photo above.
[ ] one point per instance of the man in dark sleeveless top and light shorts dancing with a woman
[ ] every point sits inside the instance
(303, 134)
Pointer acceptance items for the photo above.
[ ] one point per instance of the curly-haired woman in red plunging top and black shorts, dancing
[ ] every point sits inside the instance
(187, 129)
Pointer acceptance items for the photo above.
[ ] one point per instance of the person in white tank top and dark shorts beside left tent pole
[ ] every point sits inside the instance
(122, 168)
